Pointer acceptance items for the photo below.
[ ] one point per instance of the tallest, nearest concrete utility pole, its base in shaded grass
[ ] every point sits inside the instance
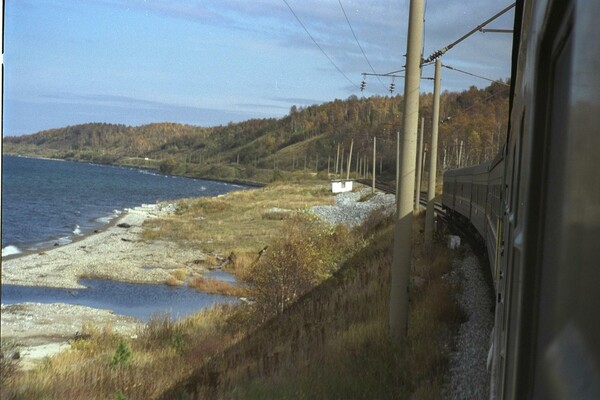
(406, 188)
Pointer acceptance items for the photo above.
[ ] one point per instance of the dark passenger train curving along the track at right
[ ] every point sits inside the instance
(542, 213)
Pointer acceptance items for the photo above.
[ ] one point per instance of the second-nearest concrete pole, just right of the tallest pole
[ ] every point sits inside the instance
(433, 159)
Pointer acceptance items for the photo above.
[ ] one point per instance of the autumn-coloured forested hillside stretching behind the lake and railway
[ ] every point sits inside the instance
(473, 129)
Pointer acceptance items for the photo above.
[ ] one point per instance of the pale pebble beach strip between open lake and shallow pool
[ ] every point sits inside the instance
(117, 252)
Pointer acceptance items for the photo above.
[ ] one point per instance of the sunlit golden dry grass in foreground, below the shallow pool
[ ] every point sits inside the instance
(164, 352)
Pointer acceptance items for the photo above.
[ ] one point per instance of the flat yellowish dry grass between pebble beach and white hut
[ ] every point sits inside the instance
(235, 222)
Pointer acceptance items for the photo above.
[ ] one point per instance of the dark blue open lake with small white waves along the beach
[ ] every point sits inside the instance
(49, 201)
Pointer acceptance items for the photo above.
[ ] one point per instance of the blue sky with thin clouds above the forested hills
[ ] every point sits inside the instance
(211, 62)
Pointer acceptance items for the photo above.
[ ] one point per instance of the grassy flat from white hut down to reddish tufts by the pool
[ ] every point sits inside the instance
(231, 230)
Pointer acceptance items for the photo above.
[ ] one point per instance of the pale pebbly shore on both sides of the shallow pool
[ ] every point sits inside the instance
(117, 252)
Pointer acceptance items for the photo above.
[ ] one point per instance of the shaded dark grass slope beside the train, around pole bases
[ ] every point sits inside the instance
(360, 362)
